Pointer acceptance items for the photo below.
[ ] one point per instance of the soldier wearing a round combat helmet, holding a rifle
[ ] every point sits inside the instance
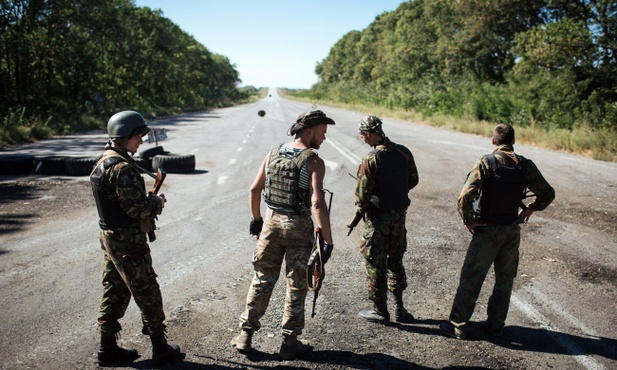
(126, 213)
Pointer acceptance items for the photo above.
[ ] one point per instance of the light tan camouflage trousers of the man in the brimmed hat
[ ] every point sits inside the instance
(287, 237)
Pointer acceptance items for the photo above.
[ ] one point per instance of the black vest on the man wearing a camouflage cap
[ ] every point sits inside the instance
(392, 185)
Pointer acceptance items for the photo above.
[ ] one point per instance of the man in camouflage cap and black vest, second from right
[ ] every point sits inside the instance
(385, 177)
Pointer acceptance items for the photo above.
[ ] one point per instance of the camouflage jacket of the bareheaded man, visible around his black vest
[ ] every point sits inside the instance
(472, 189)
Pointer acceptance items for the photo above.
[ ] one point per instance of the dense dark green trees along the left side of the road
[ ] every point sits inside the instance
(70, 64)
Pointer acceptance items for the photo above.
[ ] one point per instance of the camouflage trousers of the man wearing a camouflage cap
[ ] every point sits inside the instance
(384, 242)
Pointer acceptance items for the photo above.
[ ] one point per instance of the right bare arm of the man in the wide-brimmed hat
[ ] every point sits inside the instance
(317, 171)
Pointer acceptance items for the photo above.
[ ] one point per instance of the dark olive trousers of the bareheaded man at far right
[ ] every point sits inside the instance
(491, 244)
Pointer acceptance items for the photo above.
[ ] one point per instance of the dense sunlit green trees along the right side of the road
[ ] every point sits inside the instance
(543, 63)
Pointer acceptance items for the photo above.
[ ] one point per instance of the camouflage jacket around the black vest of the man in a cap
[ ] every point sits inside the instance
(369, 171)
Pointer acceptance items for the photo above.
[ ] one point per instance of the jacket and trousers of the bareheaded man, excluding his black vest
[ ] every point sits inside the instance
(492, 244)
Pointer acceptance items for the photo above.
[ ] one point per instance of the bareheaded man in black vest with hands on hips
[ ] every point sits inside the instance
(499, 181)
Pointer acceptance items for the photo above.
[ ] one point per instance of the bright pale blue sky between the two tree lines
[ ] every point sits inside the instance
(272, 43)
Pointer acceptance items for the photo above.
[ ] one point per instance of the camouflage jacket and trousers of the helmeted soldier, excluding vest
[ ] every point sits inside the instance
(127, 264)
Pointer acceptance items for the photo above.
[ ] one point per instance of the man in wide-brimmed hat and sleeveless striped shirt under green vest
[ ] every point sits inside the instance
(291, 179)
